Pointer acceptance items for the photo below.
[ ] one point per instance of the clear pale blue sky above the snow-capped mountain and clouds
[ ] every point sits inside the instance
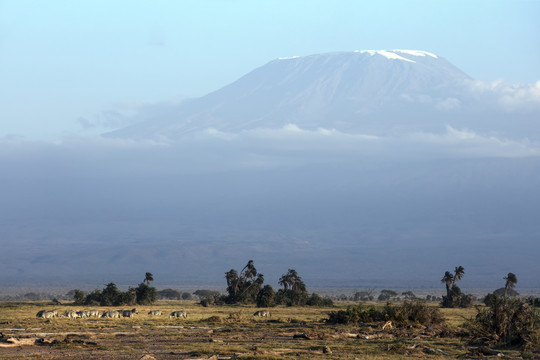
(63, 60)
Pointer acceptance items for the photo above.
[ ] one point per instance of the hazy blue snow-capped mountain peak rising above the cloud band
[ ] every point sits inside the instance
(355, 91)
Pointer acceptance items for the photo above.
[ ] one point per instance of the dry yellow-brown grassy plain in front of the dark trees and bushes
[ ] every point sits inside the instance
(224, 332)
